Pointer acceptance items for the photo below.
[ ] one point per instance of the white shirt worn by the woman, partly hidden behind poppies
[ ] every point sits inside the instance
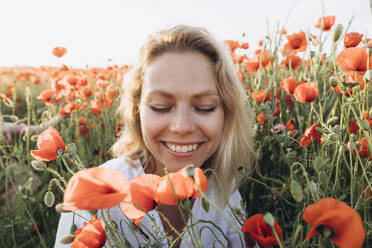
(209, 233)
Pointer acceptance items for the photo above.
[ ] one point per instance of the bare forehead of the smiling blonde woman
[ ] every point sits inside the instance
(188, 72)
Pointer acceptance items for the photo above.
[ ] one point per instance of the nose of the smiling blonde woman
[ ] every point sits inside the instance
(182, 121)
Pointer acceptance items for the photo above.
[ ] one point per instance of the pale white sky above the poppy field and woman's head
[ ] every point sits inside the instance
(94, 31)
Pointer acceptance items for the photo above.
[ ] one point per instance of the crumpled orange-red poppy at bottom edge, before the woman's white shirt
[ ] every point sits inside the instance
(91, 235)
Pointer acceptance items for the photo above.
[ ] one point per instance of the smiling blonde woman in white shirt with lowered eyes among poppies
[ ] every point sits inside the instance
(182, 104)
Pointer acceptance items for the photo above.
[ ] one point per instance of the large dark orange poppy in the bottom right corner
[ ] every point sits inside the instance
(346, 225)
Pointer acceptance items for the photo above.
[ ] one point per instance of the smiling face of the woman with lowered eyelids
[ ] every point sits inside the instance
(181, 111)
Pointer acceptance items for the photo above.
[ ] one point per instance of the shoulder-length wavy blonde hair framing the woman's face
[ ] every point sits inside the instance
(236, 149)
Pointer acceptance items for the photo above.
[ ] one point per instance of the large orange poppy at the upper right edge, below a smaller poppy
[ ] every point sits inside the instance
(354, 59)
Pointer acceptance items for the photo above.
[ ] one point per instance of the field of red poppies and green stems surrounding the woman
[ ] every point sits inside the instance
(310, 185)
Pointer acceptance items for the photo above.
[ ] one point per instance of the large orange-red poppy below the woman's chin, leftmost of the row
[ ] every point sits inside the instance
(95, 188)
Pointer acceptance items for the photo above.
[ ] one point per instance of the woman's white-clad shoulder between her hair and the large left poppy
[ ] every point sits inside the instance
(122, 166)
